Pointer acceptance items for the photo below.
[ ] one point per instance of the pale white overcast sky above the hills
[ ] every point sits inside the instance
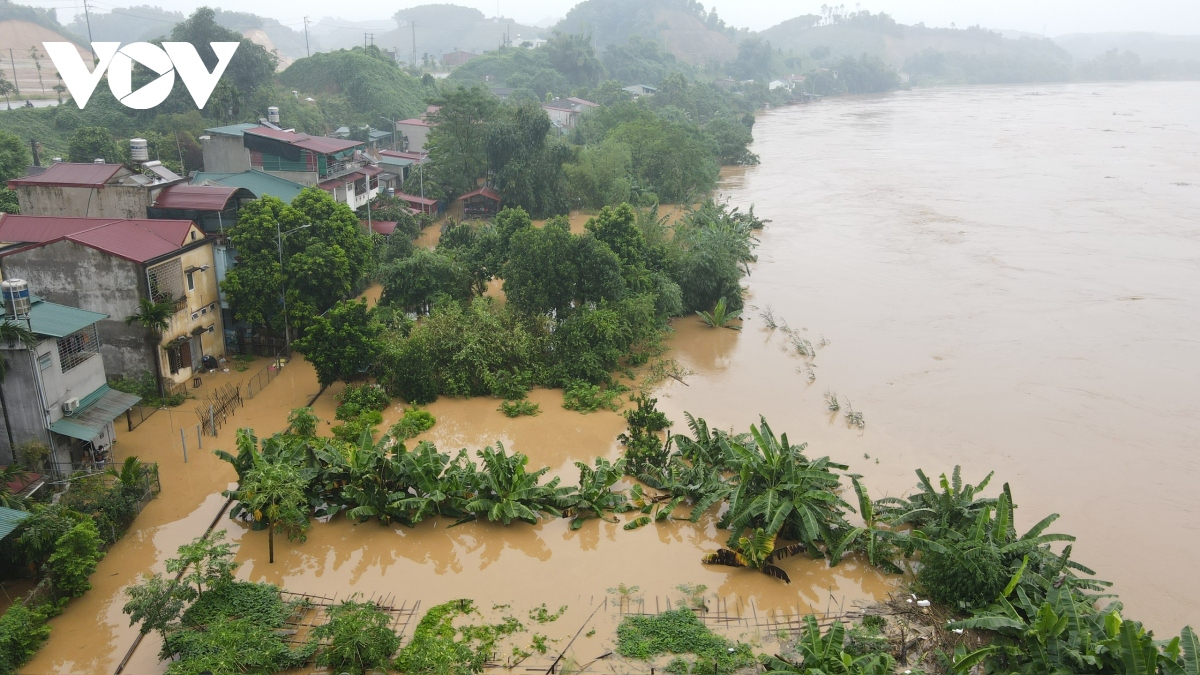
(1055, 17)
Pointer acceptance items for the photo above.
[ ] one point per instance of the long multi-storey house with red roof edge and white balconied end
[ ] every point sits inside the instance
(340, 168)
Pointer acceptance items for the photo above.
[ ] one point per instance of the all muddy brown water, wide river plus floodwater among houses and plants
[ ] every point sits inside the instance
(1001, 278)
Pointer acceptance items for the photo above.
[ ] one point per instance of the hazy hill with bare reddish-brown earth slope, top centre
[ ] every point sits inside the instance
(683, 27)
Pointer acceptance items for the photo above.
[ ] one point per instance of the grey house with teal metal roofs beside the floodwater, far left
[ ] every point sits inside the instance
(57, 391)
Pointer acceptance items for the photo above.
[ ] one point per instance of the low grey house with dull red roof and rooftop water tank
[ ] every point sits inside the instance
(80, 190)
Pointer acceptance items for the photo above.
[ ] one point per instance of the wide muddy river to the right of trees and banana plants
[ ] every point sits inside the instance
(1009, 279)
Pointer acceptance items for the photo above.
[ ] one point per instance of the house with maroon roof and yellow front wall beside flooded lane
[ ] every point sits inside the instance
(106, 266)
